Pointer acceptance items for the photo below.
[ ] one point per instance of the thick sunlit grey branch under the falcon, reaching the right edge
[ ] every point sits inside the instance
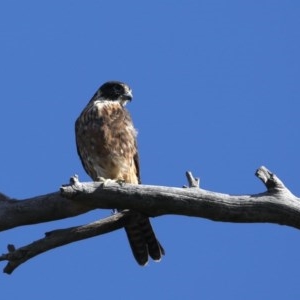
(277, 205)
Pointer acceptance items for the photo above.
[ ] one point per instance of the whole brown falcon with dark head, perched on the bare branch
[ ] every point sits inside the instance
(107, 146)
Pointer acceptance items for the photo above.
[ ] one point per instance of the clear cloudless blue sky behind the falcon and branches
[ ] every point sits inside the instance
(216, 91)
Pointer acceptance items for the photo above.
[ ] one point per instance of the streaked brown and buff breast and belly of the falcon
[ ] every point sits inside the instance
(106, 140)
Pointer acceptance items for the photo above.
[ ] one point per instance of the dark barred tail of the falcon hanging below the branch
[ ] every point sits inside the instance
(143, 241)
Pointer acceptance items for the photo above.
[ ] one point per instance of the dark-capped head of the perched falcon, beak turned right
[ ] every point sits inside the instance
(114, 91)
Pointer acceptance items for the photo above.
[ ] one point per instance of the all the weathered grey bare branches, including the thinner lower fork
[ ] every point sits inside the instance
(276, 205)
